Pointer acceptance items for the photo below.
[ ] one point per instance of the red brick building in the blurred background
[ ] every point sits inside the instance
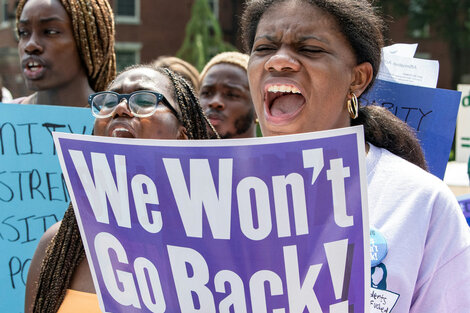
(146, 29)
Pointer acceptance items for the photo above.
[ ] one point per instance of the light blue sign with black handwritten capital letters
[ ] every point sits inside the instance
(33, 194)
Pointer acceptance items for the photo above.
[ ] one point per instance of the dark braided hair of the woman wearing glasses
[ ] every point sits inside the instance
(66, 251)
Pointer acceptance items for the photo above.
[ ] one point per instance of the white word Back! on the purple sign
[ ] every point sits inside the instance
(192, 276)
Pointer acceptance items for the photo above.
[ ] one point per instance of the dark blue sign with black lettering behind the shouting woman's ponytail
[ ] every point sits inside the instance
(431, 112)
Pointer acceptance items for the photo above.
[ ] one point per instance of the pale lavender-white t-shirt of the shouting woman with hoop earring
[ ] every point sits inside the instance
(427, 267)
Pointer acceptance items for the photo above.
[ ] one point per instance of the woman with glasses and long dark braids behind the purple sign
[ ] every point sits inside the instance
(142, 102)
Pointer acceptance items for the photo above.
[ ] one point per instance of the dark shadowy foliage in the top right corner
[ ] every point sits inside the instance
(448, 20)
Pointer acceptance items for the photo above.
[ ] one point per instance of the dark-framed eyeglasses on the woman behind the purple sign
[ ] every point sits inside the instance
(142, 103)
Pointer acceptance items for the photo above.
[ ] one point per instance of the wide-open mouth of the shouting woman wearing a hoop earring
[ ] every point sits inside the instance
(283, 102)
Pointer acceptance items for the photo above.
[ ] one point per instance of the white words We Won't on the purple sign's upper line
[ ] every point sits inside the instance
(102, 185)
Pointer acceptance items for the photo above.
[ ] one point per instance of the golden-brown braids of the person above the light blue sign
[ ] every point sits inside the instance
(93, 30)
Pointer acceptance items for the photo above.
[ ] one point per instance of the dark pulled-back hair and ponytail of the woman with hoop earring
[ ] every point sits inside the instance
(363, 28)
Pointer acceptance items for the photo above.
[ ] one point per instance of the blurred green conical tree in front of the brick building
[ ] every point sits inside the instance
(203, 37)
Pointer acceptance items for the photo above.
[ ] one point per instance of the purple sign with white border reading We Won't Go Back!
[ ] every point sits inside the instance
(260, 225)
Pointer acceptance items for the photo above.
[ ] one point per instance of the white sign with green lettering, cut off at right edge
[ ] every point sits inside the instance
(462, 145)
